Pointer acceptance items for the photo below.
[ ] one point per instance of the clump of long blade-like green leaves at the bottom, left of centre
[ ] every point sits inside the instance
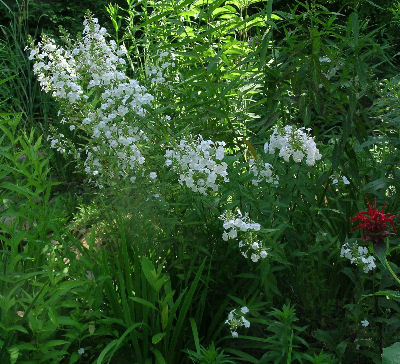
(150, 316)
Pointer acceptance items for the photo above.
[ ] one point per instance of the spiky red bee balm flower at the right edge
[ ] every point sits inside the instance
(374, 223)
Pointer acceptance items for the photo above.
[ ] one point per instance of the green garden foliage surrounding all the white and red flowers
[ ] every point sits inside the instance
(157, 278)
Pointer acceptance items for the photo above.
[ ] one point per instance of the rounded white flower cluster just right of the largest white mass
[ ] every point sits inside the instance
(199, 163)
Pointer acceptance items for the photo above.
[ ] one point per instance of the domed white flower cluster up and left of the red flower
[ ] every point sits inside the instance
(293, 142)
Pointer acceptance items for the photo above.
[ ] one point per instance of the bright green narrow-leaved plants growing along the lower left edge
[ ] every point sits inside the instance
(41, 304)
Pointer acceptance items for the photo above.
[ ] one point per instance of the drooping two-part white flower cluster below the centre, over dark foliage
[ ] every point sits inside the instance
(249, 245)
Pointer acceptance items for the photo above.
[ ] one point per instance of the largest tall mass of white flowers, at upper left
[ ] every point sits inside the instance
(97, 97)
